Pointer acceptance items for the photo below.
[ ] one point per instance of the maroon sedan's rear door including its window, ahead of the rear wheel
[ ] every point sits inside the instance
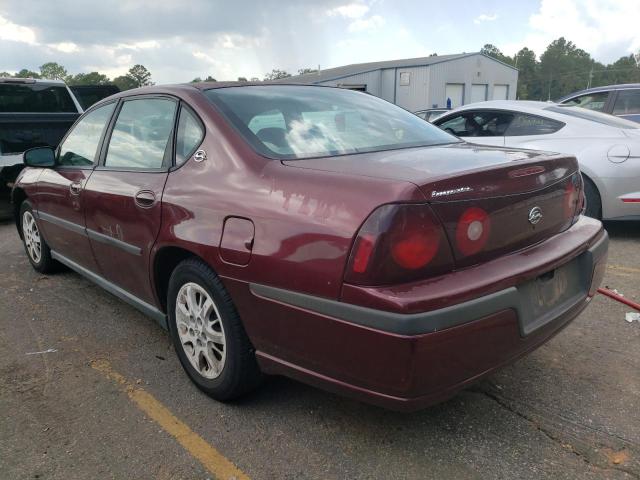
(123, 196)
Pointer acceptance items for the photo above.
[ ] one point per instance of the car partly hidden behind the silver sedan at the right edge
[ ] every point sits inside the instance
(619, 100)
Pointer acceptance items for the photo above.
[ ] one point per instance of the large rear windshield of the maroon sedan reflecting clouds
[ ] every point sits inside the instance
(289, 122)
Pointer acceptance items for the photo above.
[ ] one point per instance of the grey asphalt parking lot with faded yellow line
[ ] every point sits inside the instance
(90, 388)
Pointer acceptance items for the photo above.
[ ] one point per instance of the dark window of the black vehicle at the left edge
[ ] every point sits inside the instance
(35, 98)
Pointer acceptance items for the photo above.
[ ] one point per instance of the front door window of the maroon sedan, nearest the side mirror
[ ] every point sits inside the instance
(81, 145)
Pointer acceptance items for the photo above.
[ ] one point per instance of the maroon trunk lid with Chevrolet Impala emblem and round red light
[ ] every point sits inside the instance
(524, 195)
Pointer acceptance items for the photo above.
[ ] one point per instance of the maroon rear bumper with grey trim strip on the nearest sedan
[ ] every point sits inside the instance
(406, 361)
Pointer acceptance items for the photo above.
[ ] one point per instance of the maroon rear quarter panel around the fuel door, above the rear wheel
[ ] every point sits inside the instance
(304, 219)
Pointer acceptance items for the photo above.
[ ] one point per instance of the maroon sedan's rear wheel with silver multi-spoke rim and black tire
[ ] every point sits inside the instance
(207, 333)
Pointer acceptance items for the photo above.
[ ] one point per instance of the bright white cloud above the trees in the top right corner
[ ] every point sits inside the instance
(606, 29)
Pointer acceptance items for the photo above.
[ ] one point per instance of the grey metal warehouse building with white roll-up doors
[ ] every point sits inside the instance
(419, 83)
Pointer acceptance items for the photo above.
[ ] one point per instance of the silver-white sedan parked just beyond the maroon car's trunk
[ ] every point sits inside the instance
(607, 147)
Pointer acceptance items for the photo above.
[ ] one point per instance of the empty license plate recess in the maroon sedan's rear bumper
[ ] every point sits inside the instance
(551, 294)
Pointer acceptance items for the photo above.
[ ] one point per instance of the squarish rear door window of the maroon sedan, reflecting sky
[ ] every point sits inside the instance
(141, 134)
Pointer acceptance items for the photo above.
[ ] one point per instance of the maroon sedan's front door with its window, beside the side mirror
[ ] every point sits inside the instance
(60, 201)
